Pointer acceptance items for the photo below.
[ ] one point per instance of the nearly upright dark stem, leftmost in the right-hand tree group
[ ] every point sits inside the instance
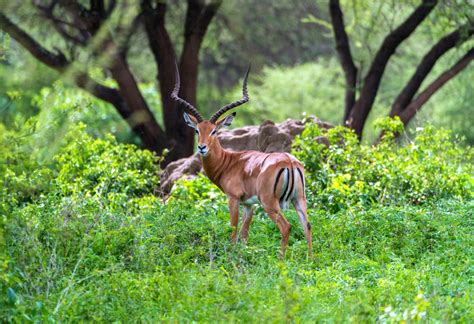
(345, 57)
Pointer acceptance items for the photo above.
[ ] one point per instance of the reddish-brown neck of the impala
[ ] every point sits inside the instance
(215, 162)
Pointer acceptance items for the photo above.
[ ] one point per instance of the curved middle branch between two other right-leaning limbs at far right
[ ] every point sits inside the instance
(426, 65)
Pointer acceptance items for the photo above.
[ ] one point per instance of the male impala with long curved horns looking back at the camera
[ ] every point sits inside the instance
(247, 177)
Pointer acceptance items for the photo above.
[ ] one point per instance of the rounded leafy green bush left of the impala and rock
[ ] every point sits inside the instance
(105, 167)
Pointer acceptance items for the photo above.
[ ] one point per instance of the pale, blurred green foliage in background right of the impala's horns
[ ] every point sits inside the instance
(311, 88)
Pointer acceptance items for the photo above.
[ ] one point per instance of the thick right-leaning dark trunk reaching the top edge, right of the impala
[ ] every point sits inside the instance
(372, 80)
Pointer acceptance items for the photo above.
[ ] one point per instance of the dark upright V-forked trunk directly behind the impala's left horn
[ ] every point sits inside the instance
(198, 17)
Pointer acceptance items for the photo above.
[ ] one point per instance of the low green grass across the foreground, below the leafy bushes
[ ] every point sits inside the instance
(151, 261)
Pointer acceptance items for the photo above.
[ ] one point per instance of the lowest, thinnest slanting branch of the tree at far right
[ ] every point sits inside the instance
(415, 106)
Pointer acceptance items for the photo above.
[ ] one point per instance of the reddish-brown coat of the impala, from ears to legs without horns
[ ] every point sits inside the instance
(247, 174)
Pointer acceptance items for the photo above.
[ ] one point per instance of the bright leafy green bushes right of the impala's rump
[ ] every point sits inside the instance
(435, 165)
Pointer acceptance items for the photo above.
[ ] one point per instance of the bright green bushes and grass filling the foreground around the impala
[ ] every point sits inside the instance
(85, 238)
